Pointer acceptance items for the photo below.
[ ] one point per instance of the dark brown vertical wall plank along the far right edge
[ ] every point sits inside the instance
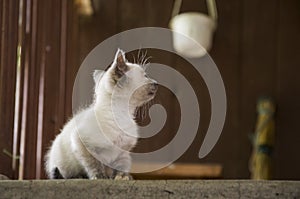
(287, 161)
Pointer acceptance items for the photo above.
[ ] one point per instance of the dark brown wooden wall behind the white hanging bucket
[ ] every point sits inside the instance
(256, 47)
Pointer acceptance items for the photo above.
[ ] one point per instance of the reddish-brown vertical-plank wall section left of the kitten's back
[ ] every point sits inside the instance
(42, 31)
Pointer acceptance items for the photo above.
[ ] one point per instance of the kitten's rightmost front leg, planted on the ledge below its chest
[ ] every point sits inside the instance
(121, 167)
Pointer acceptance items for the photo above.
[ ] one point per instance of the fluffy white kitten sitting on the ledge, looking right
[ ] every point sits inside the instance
(103, 134)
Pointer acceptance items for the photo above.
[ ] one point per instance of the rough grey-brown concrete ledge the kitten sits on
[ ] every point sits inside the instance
(149, 189)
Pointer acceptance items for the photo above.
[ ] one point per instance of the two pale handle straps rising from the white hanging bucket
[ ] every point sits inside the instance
(211, 7)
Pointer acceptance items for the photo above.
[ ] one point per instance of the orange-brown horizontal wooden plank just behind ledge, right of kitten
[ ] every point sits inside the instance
(179, 171)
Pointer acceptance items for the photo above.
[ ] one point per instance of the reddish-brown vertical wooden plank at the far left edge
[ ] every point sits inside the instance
(8, 63)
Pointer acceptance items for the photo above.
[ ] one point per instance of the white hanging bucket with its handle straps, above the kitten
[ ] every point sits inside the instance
(197, 28)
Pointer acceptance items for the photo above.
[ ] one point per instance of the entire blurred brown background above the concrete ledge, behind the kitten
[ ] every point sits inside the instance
(256, 47)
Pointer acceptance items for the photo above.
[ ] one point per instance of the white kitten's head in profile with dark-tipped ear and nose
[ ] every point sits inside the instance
(123, 78)
